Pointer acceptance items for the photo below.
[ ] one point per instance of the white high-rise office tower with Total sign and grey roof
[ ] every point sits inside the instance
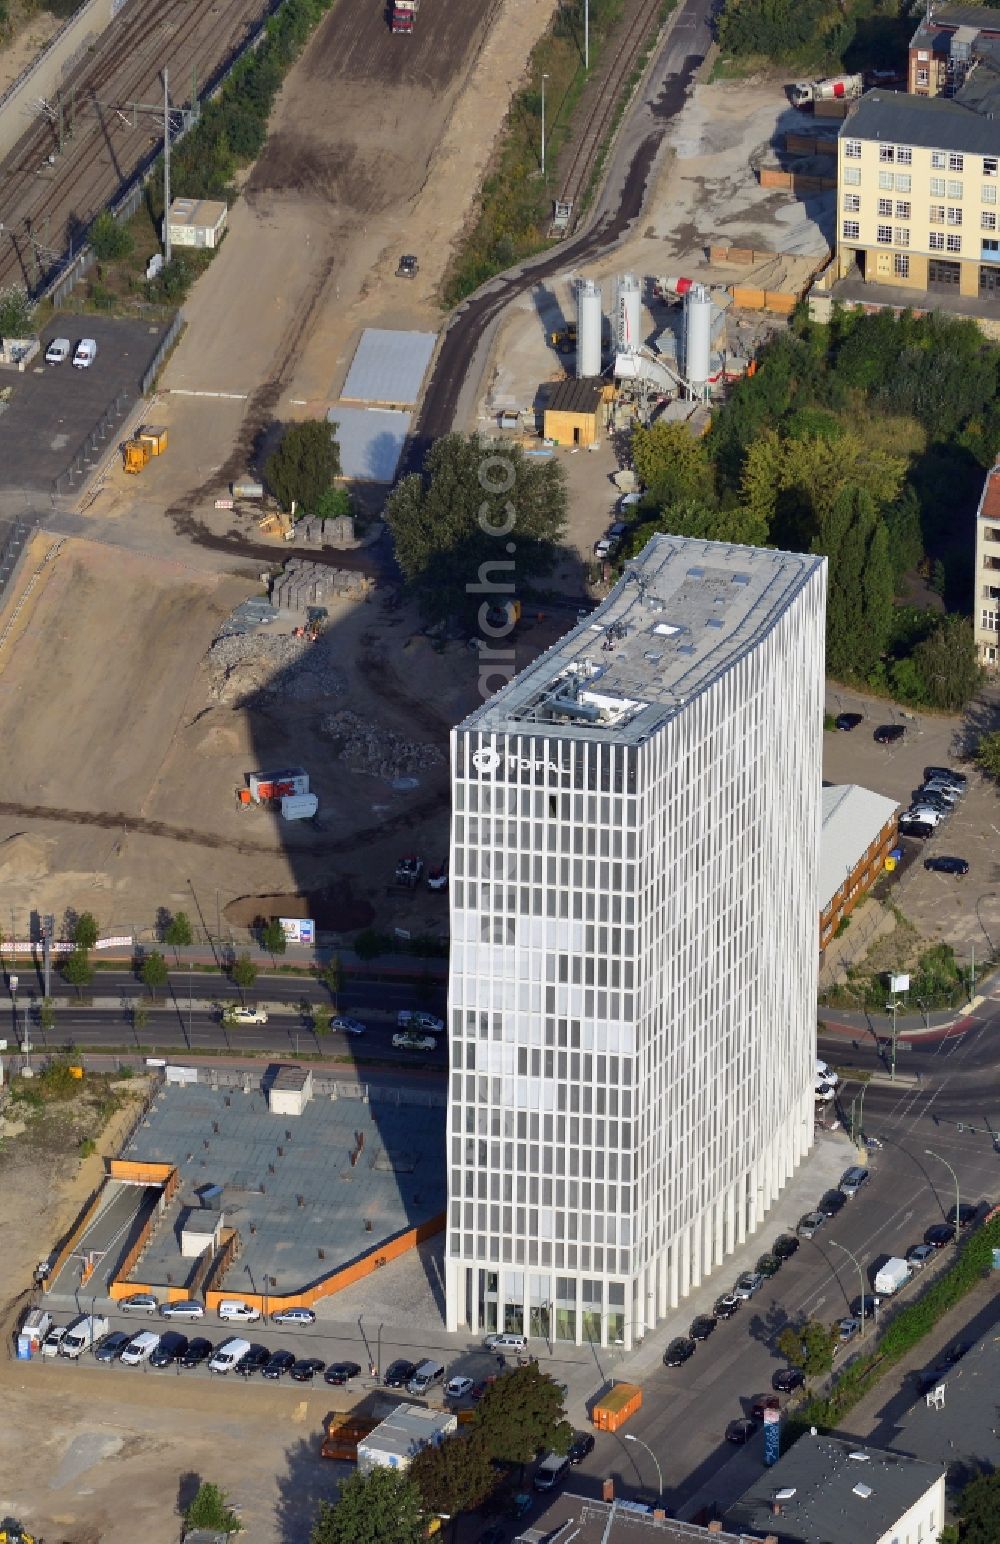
(633, 964)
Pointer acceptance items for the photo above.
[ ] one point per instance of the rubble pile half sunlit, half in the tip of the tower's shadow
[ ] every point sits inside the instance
(274, 666)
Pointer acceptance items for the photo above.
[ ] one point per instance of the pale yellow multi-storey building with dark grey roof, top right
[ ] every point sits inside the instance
(919, 181)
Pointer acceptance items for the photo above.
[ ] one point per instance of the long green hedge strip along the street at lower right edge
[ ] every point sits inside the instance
(907, 1330)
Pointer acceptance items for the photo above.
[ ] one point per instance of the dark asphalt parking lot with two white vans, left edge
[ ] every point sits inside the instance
(56, 408)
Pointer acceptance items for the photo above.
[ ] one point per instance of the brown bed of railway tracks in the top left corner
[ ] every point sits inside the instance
(49, 203)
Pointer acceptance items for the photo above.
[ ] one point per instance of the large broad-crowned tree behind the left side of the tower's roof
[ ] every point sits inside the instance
(476, 524)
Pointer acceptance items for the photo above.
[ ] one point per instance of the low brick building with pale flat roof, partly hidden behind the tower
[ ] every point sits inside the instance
(859, 835)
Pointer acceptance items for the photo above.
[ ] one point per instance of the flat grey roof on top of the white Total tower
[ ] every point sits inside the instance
(683, 615)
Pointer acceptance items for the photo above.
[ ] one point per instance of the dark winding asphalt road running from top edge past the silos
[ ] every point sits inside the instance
(620, 205)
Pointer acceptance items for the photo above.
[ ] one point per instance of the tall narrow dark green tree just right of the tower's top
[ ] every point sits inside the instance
(859, 586)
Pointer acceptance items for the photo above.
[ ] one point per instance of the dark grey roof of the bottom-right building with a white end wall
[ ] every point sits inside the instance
(836, 1492)
